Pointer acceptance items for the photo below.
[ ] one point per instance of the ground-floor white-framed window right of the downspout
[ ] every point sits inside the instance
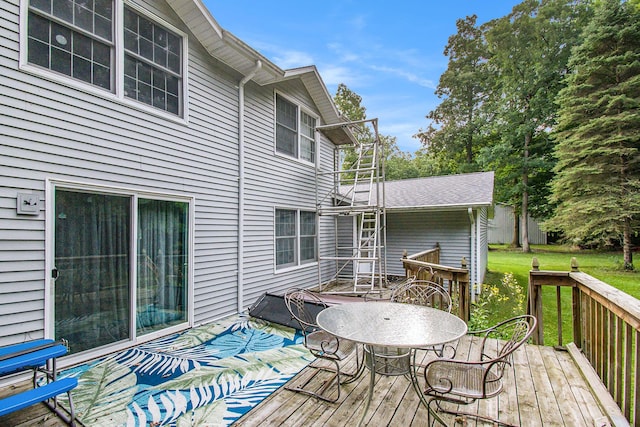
(296, 237)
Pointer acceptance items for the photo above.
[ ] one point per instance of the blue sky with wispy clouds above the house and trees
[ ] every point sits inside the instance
(389, 53)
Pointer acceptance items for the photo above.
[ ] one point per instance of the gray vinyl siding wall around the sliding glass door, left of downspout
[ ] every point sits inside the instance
(51, 130)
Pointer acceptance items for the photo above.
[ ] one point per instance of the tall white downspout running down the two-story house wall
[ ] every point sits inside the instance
(241, 84)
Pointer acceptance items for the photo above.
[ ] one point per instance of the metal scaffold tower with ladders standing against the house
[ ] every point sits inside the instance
(357, 192)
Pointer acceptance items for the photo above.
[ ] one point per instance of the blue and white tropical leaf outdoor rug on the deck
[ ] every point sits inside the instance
(207, 376)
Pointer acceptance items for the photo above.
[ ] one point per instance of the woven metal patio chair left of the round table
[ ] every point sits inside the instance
(320, 343)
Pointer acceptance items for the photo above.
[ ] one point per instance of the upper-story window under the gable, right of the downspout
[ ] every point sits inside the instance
(295, 131)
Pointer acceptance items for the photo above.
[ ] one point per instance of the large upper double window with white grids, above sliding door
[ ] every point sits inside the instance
(75, 38)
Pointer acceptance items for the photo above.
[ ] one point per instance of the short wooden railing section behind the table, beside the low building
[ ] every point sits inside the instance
(425, 266)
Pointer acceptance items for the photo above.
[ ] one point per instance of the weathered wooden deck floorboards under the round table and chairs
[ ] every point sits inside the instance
(543, 388)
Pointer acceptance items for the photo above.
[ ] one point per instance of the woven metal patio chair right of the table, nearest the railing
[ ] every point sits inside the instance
(462, 382)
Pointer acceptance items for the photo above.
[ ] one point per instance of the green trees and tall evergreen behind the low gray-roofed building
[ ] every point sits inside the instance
(548, 98)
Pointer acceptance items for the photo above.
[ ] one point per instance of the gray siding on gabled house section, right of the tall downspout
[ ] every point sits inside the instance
(275, 181)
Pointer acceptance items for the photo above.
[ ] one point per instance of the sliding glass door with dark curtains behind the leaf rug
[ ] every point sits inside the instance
(103, 294)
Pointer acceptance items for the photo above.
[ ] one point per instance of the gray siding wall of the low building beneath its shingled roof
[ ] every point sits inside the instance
(420, 230)
